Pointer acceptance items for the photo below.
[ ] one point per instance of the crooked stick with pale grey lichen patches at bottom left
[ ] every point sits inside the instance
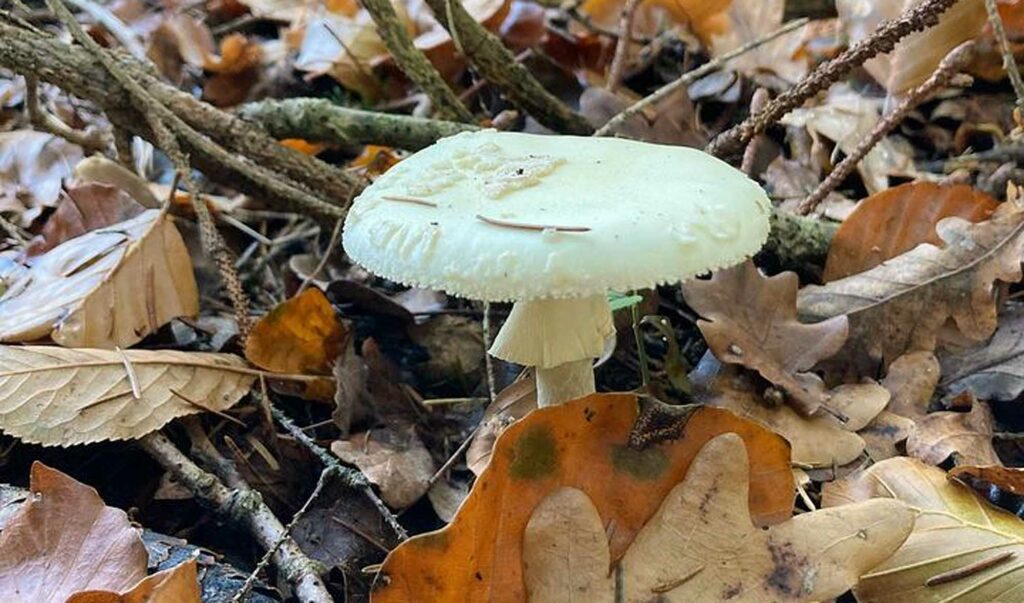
(246, 508)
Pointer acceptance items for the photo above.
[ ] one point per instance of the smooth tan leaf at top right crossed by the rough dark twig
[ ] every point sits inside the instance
(917, 56)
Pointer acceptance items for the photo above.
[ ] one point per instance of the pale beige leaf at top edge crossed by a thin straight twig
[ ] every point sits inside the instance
(751, 20)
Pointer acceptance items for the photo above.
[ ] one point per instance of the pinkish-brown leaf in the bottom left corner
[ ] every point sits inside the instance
(64, 541)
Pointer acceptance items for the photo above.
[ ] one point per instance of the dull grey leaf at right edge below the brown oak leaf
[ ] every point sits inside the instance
(994, 371)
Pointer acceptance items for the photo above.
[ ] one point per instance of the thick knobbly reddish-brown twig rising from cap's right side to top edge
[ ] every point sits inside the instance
(916, 19)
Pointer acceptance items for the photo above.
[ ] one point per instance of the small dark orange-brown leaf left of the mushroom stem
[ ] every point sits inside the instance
(301, 335)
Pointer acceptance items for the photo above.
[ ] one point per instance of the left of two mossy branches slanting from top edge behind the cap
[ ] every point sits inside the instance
(413, 63)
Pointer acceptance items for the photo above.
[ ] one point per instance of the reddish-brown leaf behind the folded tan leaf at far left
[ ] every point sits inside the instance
(86, 208)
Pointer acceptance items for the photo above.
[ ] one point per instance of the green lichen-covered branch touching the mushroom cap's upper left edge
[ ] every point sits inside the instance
(322, 121)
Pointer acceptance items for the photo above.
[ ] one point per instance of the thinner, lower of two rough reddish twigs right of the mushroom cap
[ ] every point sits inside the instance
(949, 68)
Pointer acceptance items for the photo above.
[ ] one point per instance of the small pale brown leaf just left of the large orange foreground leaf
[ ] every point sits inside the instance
(395, 459)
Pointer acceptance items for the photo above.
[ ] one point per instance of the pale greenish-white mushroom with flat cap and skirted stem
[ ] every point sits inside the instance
(552, 224)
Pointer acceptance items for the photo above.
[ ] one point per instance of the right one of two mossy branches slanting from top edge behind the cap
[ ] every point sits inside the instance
(497, 65)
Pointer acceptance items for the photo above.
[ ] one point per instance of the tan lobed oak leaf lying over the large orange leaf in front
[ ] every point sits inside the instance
(702, 546)
